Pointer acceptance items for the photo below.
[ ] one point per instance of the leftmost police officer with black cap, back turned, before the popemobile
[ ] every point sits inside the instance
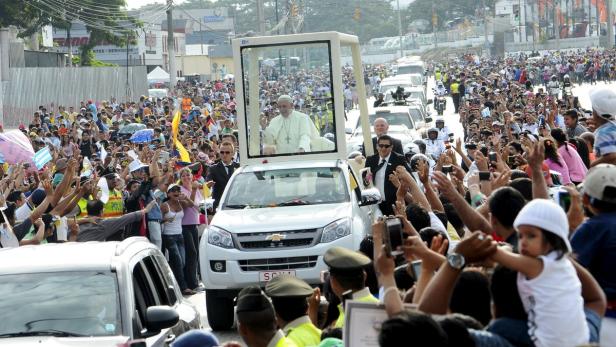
(256, 320)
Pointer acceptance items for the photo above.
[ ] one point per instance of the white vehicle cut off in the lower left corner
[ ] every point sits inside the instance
(90, 294)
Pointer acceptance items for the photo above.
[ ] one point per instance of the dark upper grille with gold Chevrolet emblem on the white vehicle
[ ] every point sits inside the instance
(276, 239)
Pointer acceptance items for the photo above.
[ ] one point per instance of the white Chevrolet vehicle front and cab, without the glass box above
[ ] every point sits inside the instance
(280, 218)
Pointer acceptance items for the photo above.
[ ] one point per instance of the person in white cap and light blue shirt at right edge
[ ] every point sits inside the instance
(603, 111)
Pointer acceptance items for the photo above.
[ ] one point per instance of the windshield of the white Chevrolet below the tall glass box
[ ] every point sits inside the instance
(287, 187)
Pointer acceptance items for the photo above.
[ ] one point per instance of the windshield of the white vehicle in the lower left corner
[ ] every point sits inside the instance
(59, 304)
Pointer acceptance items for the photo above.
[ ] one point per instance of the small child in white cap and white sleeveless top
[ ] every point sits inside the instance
(548, 284)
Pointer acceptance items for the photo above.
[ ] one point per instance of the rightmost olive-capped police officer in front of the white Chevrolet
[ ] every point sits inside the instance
(347, 277)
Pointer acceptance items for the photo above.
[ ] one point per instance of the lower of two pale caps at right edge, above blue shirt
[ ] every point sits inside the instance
(600, 183)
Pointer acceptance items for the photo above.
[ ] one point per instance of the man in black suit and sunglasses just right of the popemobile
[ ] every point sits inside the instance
(381, 166)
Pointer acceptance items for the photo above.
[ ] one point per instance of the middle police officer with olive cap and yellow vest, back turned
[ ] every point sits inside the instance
(289, 295)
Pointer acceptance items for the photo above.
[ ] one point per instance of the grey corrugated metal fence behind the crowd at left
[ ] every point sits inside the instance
(28, 88)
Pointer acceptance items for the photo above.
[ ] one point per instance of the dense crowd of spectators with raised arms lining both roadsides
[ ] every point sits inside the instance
(508, 232)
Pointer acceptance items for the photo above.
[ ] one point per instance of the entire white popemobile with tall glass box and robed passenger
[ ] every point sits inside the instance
(295, 195)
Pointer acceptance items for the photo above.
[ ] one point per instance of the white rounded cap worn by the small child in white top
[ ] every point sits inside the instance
(546, 215)
